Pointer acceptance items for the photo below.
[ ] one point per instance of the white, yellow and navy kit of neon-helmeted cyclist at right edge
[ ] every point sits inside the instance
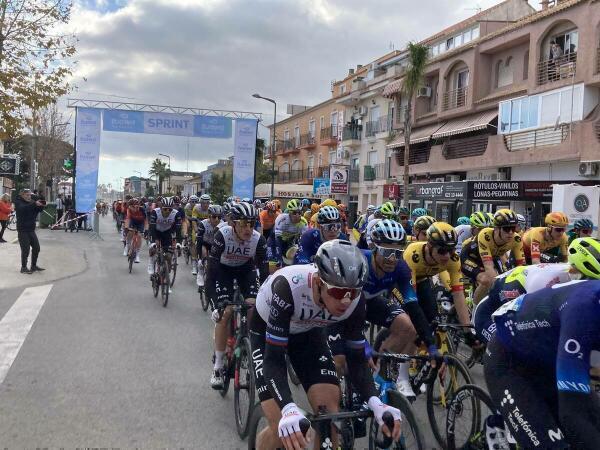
(510, 285)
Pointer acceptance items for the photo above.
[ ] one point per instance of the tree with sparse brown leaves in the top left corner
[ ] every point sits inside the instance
(35, 59)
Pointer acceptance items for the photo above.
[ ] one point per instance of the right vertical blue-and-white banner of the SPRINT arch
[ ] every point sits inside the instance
(244, 157)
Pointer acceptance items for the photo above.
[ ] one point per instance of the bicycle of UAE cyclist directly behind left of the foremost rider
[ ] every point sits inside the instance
(238, 363)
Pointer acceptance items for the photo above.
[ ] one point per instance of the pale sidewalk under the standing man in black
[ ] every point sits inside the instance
(62, 255)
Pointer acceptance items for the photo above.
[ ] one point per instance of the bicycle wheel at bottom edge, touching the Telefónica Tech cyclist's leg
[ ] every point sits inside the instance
(465, 422)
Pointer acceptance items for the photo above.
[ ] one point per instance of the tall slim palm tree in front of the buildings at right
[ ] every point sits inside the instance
(413, 80)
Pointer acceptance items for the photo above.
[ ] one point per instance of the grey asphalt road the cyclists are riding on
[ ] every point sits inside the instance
(105, 365)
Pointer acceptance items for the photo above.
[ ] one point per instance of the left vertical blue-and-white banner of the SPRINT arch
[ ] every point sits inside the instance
(87, 144)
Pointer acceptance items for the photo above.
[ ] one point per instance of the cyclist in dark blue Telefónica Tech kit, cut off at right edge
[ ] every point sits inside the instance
(537, 366)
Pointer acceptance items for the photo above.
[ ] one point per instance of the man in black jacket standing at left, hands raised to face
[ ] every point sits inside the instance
(27, 209)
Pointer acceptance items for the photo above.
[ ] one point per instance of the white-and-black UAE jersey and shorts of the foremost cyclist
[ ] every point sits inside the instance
(286, 313)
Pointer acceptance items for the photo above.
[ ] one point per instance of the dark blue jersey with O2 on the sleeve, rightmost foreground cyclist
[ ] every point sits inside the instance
(554, 329)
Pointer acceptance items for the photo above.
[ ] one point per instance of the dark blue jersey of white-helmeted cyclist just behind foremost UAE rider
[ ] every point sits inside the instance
(382, 287)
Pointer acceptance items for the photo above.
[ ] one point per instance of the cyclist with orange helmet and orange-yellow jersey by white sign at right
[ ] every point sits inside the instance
(550, 241)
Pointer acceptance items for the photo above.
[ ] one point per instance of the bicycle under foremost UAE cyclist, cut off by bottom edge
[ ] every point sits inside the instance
(324, 422)
